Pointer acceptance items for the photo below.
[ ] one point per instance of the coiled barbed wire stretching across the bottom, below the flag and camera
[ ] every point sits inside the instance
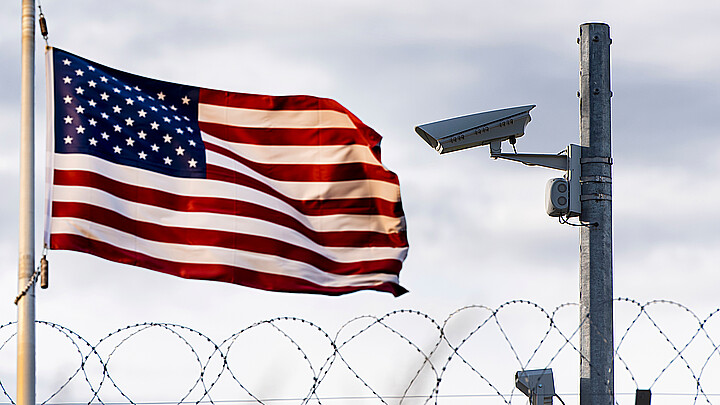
(449, 357)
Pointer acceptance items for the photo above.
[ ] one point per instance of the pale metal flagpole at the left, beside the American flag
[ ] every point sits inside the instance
(26, 240)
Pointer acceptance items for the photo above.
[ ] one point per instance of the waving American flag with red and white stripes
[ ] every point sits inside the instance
(277, 193)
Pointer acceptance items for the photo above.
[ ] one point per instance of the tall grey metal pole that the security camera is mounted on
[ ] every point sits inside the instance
(596, 274)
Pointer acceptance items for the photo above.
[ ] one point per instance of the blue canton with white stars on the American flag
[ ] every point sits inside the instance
(127, 119)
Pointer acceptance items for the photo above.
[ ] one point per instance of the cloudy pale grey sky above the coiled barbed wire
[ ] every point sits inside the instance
(477, 227)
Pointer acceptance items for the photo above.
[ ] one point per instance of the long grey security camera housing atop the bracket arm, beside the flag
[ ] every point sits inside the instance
(476, 129)
